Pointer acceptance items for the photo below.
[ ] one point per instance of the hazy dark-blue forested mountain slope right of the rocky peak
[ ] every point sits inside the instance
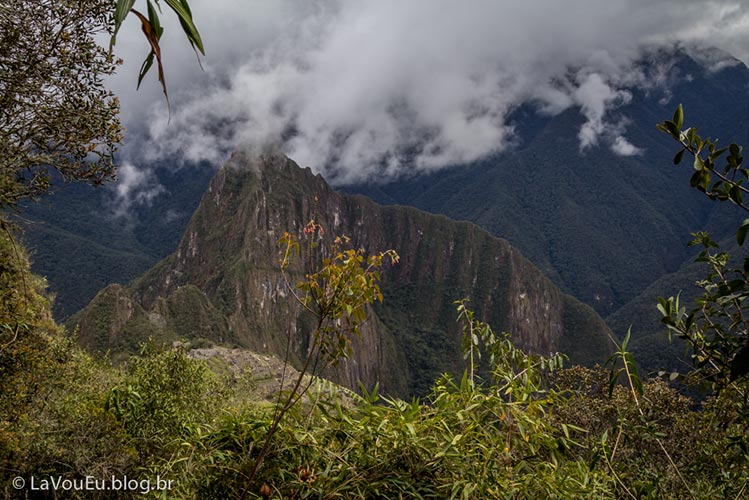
(603, 226)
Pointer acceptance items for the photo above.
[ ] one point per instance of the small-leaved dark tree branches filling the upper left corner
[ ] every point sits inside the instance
(54, 109)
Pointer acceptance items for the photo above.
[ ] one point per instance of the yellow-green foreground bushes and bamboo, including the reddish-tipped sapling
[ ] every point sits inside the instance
(516, 425)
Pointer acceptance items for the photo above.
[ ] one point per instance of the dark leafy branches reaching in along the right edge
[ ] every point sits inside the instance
(716, 327)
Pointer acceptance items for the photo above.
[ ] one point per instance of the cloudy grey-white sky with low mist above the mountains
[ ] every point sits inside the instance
(372, 90)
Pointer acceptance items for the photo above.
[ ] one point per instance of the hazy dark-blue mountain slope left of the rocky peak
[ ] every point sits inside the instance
(80, 246)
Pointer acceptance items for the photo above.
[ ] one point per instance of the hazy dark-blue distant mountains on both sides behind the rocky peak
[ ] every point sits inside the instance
(610, 230)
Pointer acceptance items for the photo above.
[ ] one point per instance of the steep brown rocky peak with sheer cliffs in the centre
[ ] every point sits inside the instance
(223, 283)
